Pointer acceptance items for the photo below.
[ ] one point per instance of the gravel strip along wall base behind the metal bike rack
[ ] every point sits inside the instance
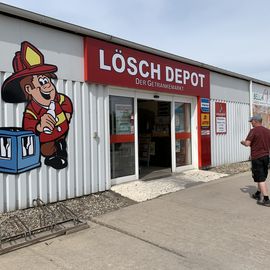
(84, 208)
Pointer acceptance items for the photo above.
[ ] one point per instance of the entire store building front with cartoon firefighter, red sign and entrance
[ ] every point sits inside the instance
(133, 110)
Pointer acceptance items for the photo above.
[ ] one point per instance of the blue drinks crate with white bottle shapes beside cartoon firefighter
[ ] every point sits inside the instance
(19, 150)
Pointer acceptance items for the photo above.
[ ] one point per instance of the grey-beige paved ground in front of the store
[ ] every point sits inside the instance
(214, 225)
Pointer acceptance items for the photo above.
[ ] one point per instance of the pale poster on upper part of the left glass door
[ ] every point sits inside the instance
(123, 114)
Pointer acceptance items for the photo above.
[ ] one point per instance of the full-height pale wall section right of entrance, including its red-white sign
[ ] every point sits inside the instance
(230, 110)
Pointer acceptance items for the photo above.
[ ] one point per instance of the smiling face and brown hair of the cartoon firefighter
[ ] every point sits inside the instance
(40, 88)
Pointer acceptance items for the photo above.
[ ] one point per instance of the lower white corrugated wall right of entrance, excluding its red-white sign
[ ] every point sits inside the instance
(226, 148)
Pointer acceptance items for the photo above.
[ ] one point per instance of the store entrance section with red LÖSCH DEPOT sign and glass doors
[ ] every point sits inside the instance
(153, 111)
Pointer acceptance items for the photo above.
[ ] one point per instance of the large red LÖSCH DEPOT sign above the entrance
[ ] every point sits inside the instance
(112, 64)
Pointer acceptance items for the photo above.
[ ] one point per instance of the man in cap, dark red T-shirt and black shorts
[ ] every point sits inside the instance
(259, 141)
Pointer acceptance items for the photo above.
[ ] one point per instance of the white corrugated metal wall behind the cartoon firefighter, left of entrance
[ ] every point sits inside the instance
(87, 171)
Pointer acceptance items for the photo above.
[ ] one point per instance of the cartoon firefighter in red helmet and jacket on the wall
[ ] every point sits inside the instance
(47, 113)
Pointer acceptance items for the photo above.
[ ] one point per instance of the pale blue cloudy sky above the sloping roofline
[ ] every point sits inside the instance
(233, 35)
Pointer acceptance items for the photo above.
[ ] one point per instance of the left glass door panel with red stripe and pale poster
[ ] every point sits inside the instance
(122, 141)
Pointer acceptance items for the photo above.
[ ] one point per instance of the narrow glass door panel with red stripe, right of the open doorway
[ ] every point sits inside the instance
(183, 134)
